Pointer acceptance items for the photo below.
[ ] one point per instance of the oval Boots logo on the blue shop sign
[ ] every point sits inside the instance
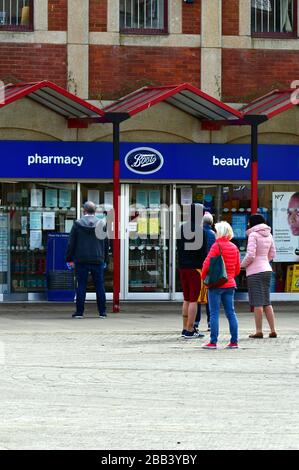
(144, 160)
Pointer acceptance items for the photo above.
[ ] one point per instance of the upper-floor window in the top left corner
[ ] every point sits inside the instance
(16, 15)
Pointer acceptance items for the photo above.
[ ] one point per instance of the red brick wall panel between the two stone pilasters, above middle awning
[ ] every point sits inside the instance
(115, 71)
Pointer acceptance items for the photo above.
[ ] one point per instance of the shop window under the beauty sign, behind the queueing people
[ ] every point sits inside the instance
(278, 203)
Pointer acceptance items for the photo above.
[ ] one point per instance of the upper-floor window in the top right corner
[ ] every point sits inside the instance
(274, 18)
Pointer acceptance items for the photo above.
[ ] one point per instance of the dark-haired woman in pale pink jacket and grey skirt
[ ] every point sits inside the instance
(260, 251)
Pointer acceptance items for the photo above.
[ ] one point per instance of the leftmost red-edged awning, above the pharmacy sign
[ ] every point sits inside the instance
(52, 96)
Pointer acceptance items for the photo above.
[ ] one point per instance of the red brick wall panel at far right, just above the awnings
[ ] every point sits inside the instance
(248, 73)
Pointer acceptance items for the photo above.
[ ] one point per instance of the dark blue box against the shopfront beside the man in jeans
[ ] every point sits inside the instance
(60, 280)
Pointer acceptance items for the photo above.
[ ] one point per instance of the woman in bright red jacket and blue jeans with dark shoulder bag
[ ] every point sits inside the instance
(225, 293)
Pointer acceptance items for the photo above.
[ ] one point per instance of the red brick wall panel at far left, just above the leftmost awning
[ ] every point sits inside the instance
(33, 62)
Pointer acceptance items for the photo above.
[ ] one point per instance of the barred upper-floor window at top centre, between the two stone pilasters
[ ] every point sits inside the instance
(143, 16)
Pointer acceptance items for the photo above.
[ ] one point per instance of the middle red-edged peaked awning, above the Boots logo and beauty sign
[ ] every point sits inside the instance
(185, 97)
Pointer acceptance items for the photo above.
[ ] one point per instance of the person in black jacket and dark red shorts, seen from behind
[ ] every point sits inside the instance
(192, 251)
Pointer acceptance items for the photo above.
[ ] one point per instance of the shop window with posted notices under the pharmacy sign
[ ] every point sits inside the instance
(28, 213)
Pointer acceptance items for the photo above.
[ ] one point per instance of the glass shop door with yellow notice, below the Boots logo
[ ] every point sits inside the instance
(148, 249)
